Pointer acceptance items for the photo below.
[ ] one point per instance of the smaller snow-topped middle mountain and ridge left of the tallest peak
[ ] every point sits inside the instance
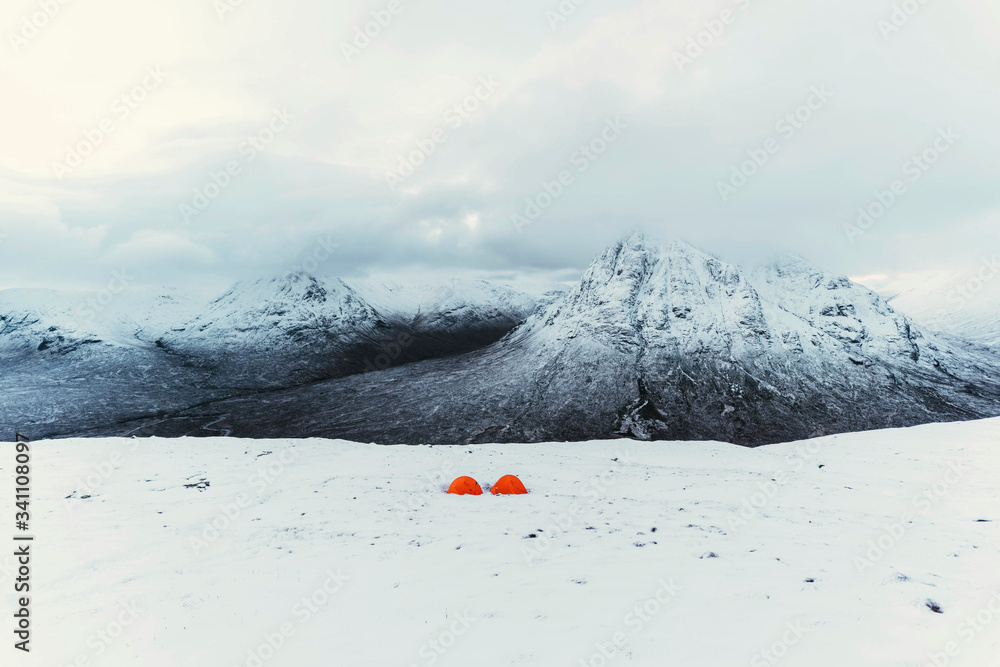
(298, 328)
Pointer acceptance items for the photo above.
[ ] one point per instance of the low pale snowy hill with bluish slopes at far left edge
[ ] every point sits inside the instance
(77, 360)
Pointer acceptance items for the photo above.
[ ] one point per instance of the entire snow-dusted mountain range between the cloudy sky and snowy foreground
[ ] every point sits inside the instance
(655, 342)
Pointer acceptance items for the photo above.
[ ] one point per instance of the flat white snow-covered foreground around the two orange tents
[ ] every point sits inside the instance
(224, 552)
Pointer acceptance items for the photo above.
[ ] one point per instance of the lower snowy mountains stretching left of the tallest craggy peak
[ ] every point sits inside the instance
(76, 360)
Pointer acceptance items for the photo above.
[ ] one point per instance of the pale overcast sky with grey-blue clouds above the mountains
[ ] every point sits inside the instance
(120, 118)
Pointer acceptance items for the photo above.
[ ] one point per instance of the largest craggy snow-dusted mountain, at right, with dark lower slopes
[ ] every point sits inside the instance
(663, 341)
